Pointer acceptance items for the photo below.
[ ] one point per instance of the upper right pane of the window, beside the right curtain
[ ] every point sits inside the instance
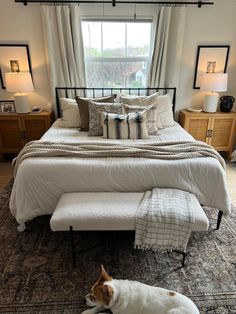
(138, 39)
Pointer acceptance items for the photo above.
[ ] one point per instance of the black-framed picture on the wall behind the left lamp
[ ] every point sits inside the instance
(14, 58)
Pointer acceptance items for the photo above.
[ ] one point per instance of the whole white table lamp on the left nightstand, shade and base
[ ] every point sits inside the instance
(19, 83)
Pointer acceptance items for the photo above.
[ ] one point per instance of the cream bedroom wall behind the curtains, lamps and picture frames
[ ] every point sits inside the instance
(209, 25)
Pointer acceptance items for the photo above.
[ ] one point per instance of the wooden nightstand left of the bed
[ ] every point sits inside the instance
(18, 129)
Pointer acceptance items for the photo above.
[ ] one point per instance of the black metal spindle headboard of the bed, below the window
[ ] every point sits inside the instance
(72, 92)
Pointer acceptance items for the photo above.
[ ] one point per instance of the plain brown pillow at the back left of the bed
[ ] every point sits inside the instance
(83, 104)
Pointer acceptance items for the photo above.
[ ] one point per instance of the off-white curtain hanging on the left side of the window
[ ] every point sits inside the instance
(64, 46)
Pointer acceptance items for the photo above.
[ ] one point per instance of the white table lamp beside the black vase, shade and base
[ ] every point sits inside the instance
(212, 83)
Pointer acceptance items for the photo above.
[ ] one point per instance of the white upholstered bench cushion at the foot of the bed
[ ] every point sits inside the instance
(106, 211)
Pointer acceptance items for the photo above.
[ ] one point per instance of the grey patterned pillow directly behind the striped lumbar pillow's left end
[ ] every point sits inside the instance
(95, 109)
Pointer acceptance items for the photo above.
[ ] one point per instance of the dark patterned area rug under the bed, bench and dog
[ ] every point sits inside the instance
(36, 273)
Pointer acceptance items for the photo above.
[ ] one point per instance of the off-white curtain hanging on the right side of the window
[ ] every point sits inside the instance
(166, 51)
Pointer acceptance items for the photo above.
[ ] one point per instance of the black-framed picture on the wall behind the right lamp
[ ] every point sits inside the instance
(210, 59)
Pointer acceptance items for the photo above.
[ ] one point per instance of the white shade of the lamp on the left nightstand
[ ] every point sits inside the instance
(19, 82)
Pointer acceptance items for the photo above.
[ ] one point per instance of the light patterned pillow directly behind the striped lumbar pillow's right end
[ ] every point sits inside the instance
(153, 117)
